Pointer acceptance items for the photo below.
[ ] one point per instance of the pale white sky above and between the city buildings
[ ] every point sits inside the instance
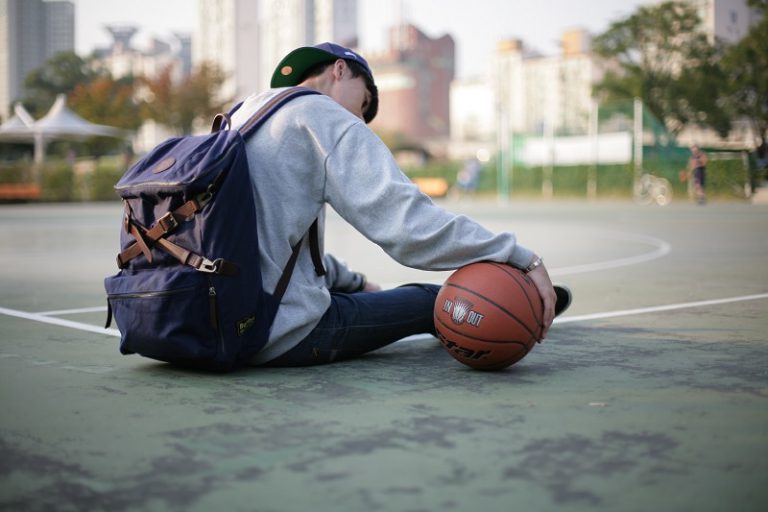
(475, 25)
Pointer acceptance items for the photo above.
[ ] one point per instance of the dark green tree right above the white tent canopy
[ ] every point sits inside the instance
(60, 75)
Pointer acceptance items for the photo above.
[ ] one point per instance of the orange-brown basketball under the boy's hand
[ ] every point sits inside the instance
(488, 315)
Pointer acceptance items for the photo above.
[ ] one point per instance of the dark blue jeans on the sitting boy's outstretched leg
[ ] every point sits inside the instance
(356, 323)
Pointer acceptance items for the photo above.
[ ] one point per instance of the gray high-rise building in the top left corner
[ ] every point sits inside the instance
(31, 32)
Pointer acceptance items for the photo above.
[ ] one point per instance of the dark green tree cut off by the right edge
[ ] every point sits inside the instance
(745, 66)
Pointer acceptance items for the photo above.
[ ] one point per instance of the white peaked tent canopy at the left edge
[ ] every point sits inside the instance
(59, 123)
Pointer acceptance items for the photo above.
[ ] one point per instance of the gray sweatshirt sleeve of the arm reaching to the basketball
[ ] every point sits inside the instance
(366, 187)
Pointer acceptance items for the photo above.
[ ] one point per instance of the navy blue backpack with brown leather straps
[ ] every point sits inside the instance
(189, 290)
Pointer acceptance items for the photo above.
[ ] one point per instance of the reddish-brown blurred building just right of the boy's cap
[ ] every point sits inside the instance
(414, 76)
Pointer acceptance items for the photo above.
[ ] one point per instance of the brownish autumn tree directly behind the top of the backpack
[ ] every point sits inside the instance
(179, 105)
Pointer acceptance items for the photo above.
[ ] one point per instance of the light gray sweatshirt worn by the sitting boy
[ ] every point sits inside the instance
(313, 152)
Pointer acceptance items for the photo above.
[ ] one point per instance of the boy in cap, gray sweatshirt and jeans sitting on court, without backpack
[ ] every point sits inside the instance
(317, 150)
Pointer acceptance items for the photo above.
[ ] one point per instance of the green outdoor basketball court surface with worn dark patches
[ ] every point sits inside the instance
(650, 393)
